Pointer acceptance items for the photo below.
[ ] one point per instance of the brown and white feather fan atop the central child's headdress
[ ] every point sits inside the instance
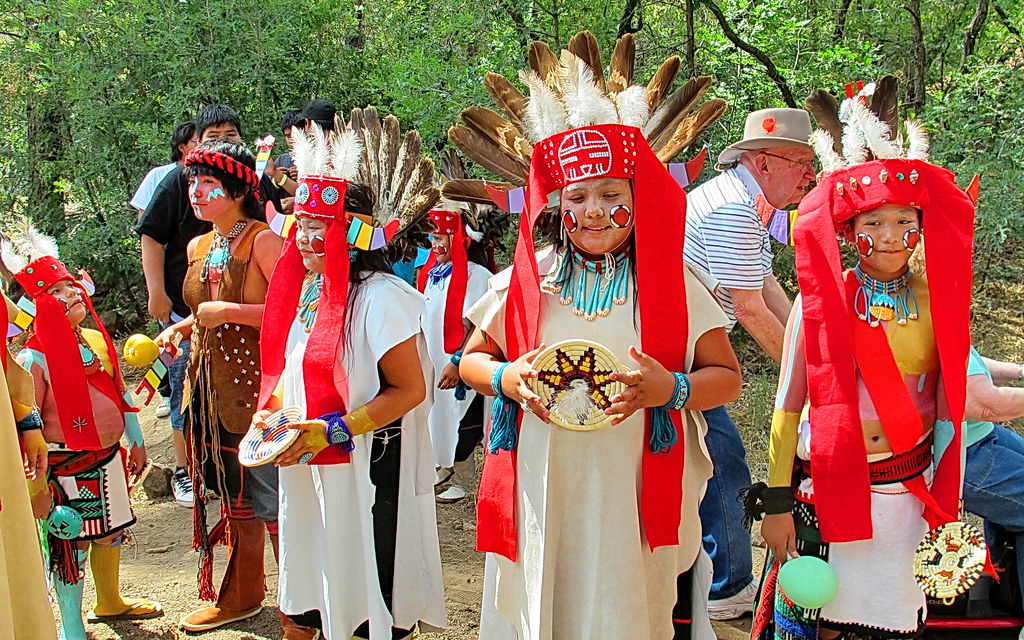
(572, 91)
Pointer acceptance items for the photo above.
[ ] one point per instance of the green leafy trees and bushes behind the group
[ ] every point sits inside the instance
(94, 90)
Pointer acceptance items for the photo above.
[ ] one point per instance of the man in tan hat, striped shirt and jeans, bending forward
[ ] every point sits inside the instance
(727, 238)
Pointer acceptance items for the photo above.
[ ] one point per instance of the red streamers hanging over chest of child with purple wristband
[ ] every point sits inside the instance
(323, 385)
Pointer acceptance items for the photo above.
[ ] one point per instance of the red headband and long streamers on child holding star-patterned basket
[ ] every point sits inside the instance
(603, 152)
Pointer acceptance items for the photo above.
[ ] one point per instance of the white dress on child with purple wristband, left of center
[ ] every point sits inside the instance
(327, 537)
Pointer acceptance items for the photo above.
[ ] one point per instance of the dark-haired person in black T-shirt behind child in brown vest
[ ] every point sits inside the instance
(165, 229)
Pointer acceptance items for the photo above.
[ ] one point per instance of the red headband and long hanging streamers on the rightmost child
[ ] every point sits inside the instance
(842, 488)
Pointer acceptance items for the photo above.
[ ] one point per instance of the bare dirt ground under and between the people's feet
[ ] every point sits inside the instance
(161, 565)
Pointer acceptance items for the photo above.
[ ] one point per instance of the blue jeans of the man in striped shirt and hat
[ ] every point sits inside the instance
(726, 540)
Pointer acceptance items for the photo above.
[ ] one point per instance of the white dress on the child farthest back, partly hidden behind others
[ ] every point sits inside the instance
(447, 412)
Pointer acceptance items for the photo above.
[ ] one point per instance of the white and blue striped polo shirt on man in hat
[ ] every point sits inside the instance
(726, 237)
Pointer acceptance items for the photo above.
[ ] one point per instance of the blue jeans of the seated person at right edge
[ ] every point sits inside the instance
(994, 488)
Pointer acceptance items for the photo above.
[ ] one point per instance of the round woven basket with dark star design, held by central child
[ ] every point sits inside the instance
(575, 383)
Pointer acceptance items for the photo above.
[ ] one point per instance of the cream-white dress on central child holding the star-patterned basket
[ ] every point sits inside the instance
(585, 571)
